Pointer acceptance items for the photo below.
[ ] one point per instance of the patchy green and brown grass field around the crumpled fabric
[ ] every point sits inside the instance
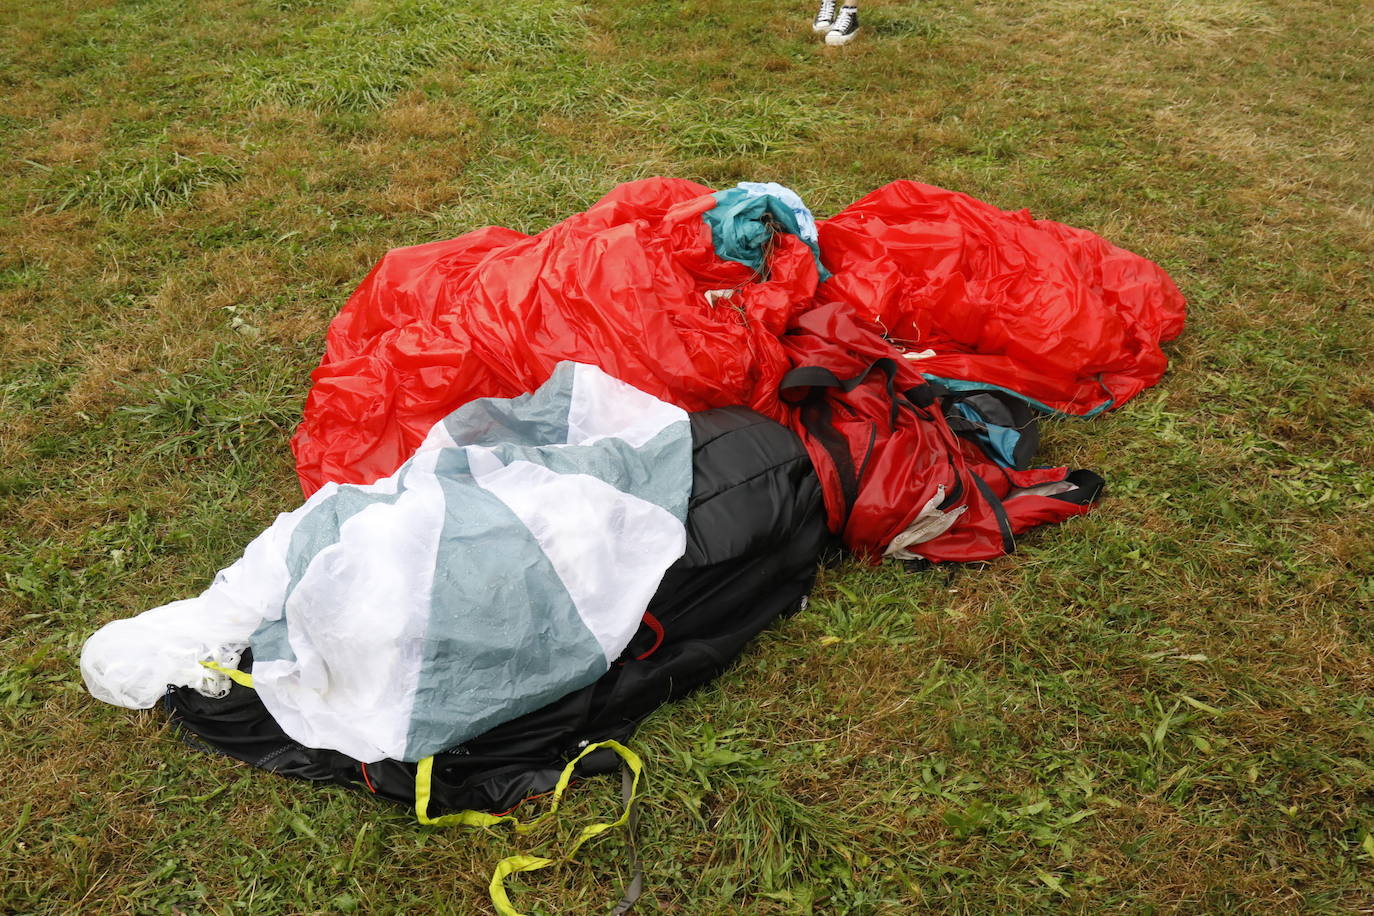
(1162, 708)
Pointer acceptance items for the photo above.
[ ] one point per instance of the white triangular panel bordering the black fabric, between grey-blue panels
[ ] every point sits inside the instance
(611, 550)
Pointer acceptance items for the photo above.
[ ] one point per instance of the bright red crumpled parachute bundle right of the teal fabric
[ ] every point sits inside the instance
(1055, 314)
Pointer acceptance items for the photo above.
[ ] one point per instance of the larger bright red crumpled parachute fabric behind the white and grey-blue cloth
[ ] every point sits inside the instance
(622, 286)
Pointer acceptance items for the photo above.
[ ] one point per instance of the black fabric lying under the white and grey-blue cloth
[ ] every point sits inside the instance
(756, 528)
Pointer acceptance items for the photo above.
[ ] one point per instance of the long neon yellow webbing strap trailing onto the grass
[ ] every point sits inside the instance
(513, 865)
